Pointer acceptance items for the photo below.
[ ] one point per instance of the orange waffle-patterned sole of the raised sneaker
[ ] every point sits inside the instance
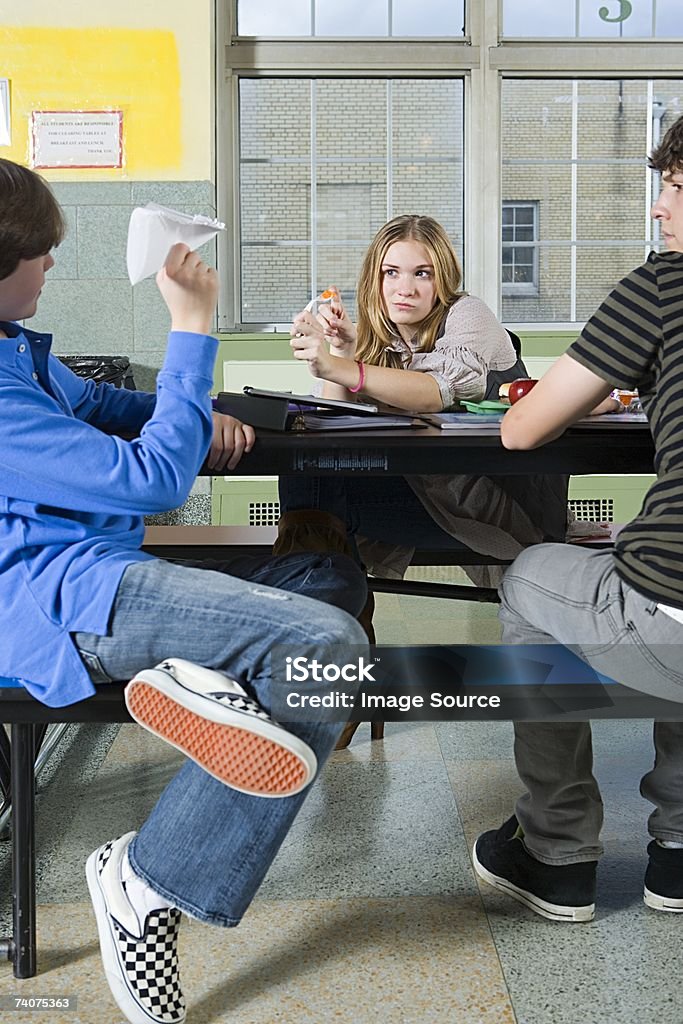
(236, 757)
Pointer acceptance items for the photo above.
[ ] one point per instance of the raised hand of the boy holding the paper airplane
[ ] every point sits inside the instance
(190, 289)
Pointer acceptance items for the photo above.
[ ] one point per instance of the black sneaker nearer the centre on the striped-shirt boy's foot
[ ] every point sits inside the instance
(564, 892)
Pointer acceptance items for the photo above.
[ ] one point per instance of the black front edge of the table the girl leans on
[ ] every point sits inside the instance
(622, 448)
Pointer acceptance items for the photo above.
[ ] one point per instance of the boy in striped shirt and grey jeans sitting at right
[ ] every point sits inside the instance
(620, 610)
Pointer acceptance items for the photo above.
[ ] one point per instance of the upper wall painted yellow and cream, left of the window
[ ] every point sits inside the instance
(151, 59)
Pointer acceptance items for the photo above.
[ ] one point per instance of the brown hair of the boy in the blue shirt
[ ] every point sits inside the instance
(31, 219)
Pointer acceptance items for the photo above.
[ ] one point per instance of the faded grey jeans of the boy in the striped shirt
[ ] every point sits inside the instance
(574, 596)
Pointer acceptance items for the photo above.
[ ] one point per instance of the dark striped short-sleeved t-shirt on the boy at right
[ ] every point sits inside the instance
(635, 340)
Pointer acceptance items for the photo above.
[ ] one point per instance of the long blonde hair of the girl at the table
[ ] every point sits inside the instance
(375, 331)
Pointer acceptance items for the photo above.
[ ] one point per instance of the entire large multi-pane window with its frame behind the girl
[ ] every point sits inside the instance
(523, 126)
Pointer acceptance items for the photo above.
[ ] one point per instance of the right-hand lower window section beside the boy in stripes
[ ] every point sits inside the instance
(578, 148)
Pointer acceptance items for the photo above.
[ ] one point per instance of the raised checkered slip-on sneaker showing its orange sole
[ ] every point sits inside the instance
(210, 718)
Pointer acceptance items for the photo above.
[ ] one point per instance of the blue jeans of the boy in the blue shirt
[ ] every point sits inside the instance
(206, 847)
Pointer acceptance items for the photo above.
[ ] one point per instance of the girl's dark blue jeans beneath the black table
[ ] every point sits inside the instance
(379, 508)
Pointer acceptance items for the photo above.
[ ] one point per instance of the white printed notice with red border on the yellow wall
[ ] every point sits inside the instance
(77, 139)
